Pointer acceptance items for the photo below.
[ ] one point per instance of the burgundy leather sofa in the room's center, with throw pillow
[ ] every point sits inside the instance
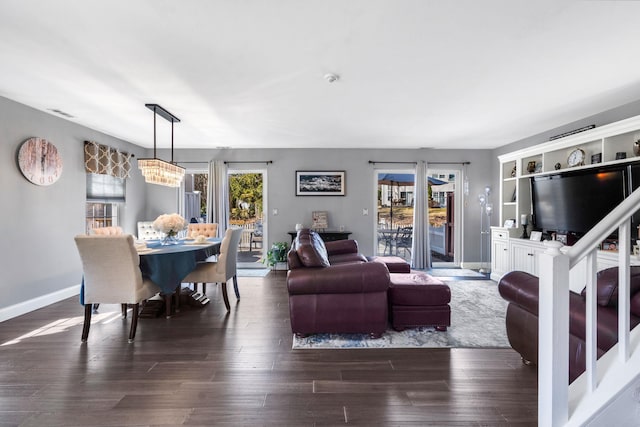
(334, 289)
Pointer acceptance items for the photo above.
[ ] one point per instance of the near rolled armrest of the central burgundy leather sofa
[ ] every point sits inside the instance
(339, 279)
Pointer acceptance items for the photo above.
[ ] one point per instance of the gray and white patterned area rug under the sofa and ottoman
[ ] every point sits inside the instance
(477, 321)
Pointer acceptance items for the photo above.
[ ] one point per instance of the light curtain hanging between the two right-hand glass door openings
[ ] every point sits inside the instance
(421, 253)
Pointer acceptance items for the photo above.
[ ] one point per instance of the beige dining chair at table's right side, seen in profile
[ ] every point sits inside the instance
(222, 270)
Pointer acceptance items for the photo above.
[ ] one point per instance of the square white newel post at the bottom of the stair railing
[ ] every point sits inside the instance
(553, 331)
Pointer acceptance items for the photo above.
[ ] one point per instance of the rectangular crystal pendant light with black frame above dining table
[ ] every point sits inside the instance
(156, 171)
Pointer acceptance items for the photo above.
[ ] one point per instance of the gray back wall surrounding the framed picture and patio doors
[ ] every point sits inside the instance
(360, 186)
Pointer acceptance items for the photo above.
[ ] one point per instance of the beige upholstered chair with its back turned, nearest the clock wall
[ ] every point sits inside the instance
(112, 275)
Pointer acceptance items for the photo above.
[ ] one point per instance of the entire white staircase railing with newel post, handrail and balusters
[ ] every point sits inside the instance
(560, 404)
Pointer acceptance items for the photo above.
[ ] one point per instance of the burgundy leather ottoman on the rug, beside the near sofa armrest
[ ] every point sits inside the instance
(418, 299)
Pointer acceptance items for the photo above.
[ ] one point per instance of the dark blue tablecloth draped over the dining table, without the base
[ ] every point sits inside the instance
(166, 266)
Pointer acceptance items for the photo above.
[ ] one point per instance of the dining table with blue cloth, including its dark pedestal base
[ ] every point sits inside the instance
(167, 265)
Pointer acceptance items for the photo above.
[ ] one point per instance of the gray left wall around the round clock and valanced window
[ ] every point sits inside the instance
(38, 223)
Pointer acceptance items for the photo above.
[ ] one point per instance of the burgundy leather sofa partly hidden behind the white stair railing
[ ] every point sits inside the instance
(520, 289)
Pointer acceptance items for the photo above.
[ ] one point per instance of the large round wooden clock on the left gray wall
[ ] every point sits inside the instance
(39, 161)
